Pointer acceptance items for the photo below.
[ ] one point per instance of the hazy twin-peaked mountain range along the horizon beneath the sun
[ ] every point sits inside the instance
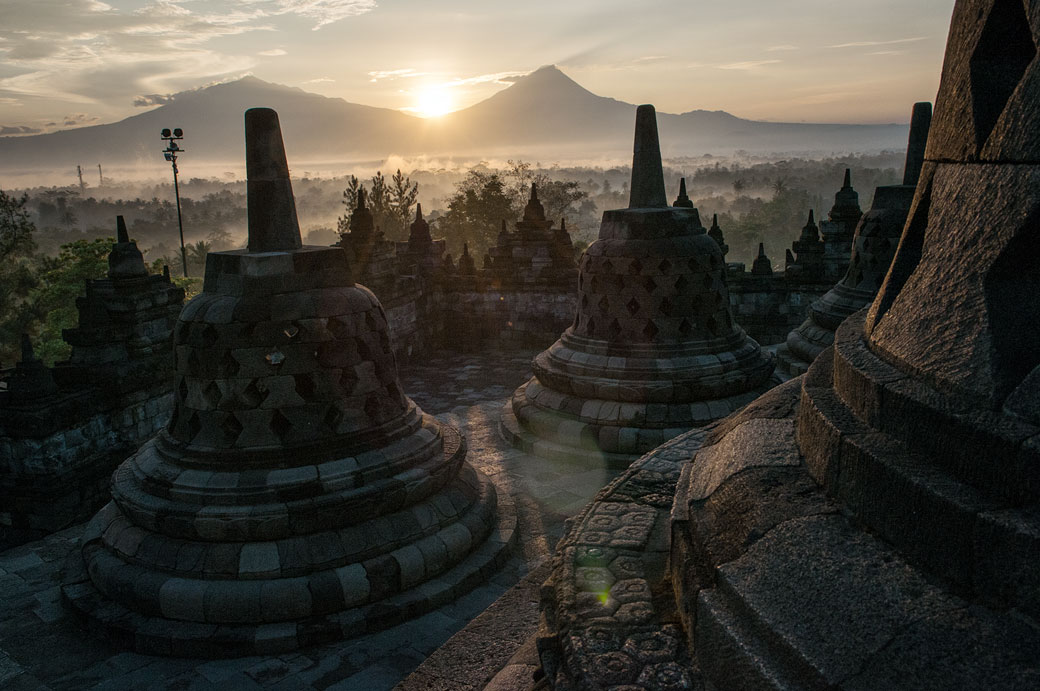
(544, 114)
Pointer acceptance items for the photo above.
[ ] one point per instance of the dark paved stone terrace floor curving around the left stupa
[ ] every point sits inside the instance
(42, 648)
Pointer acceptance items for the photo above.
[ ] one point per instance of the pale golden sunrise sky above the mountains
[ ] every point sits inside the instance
(68, 64)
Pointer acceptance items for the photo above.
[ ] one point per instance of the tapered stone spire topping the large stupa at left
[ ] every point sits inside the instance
(273, 223)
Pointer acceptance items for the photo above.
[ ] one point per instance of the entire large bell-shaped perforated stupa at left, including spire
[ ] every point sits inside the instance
(298, 496)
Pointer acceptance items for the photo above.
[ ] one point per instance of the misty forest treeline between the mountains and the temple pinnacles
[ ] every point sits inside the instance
(53, 239)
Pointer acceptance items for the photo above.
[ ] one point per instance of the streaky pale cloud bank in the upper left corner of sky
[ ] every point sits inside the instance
(87, 53)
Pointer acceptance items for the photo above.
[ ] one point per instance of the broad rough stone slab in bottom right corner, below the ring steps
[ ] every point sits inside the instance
(817, 604)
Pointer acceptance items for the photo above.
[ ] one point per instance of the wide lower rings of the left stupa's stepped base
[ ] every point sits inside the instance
(227, 600)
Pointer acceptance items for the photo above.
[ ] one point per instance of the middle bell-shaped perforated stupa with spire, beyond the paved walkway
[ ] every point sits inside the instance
(654, 350)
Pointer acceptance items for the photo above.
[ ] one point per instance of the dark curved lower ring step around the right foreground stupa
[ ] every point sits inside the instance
(980, 545)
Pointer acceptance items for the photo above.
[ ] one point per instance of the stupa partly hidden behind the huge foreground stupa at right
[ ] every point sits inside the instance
(874, 247)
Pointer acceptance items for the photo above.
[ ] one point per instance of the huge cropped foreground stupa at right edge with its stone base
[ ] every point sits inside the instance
(889, 530)
